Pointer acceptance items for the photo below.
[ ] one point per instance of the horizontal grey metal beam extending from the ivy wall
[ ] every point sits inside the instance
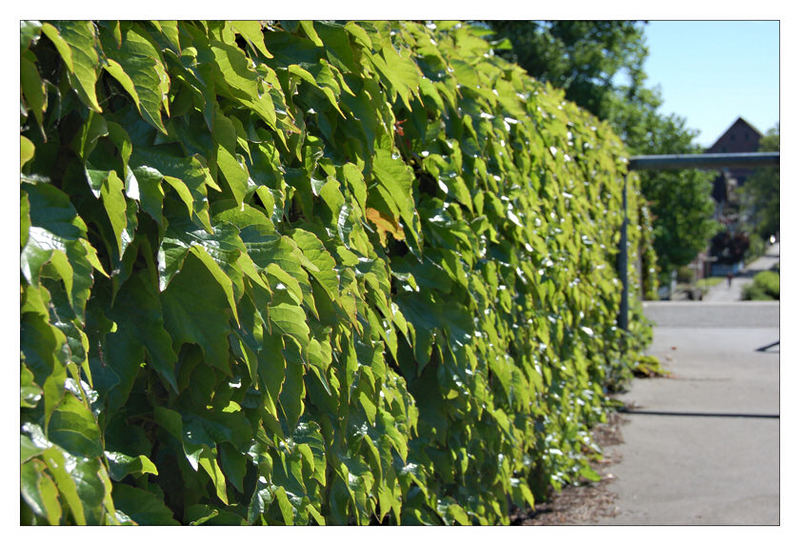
(703, 161)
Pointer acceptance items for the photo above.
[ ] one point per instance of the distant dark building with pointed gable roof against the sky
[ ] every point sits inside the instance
(741, 137)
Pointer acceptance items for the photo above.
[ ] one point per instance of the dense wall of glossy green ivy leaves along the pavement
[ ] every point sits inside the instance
(309, 273)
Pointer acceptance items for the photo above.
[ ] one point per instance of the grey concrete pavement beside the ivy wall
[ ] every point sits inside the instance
(701, 447)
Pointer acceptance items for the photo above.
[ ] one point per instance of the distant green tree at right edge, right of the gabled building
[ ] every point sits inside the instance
(761, 191)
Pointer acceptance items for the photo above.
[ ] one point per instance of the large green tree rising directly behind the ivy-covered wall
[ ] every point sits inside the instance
(600, 66)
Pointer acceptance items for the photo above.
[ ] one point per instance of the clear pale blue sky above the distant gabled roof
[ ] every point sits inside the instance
(711, 72)
